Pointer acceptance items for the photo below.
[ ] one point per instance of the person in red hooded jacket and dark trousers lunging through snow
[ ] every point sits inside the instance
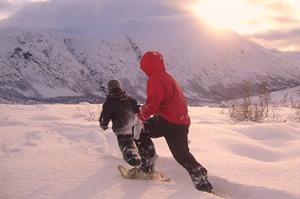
(165, 114)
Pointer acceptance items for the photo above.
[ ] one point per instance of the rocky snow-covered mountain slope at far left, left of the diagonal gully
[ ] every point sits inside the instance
(36, 65)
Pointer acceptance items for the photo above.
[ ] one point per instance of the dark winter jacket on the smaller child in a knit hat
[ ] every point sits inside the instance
(120, 109)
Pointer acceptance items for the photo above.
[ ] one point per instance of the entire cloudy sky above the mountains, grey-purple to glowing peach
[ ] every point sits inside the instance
(275, 24)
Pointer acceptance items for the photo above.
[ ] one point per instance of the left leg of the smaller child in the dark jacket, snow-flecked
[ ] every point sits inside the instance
(128, 149)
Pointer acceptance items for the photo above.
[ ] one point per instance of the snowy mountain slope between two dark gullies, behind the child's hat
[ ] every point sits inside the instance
(109, 56)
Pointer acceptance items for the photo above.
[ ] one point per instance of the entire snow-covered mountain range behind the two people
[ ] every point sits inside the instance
(209, 64)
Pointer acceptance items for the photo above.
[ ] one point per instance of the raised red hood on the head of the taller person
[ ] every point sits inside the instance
(152, 61)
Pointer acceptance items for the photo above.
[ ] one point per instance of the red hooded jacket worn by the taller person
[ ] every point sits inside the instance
(164, 95)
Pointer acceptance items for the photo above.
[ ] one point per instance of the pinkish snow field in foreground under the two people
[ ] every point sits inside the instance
(51, 151)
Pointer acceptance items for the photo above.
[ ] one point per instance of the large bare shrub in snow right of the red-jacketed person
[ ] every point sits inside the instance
(250, 105)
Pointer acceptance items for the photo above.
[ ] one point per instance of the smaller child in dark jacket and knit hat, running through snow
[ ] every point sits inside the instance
(121, 109)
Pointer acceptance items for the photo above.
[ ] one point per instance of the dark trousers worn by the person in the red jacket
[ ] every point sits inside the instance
(177, 139)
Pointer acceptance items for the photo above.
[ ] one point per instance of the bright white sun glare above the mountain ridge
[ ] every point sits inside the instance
(225, 14)
